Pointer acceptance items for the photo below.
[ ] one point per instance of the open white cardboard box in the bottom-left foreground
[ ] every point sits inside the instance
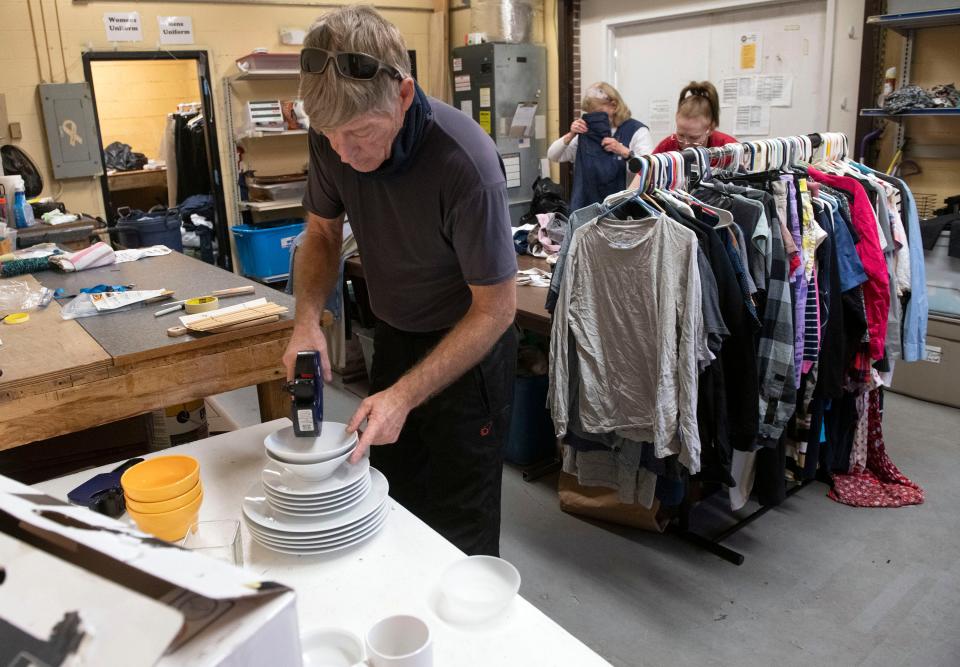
(82, 585)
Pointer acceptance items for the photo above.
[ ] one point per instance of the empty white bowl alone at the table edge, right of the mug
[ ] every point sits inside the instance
(477, 589)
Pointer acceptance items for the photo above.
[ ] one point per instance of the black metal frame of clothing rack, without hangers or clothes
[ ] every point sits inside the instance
(682, 526)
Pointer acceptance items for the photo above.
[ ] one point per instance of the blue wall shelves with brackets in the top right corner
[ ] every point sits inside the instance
(907, 24)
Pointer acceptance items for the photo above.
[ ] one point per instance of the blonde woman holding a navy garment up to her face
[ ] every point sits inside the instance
(599, 144)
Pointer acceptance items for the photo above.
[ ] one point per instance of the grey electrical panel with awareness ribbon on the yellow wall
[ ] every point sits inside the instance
(71, 129)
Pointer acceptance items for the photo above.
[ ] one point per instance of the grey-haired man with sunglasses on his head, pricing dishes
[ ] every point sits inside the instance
(425, 192)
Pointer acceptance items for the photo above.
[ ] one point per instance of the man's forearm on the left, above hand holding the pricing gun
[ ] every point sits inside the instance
(316, 270)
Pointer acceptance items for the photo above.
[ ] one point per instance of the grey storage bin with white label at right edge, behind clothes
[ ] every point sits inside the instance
(938, 378)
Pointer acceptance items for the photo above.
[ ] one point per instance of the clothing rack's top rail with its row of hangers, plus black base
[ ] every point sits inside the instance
(663, 171)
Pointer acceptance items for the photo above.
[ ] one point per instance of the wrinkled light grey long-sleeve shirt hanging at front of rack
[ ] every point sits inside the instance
(631, 297)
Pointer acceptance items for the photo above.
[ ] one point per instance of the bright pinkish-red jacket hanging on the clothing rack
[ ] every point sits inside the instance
(876, 291)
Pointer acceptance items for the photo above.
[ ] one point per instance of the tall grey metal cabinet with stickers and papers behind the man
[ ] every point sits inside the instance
(504, 88)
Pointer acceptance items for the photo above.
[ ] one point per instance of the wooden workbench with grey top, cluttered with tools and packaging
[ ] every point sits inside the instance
(64, 376)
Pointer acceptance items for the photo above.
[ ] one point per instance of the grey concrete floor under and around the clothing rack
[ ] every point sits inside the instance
(822, 583)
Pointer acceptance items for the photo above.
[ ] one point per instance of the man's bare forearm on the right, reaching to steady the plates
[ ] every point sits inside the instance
(460, 350)
